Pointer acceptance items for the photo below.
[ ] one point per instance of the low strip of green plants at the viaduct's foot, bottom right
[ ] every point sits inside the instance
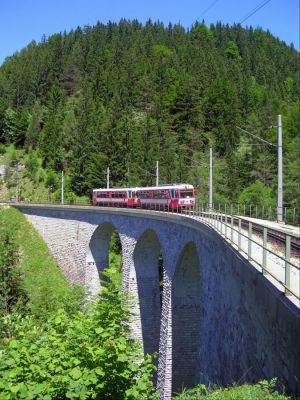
(263, 390)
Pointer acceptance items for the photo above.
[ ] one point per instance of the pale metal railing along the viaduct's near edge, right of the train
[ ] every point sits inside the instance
(275, 255)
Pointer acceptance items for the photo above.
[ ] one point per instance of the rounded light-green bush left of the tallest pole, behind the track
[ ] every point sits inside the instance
(258, 194)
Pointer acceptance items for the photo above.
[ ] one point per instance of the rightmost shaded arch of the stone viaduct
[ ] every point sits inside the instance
(186, 302)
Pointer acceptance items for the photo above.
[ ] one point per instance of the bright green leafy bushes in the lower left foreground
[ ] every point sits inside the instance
(79, 357)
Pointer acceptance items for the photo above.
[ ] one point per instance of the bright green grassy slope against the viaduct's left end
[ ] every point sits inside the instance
(44, 281)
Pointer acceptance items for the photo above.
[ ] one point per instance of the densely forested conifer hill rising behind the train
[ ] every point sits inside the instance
(124, 95)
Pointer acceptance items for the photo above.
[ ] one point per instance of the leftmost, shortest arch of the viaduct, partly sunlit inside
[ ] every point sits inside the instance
(98, 254)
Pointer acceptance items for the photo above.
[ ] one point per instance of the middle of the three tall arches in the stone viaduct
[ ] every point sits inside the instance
(148, 277)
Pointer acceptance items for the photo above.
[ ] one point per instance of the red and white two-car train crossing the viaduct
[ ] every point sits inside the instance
(176, 196)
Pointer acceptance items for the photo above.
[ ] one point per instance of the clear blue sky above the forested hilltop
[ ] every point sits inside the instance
(22, 21)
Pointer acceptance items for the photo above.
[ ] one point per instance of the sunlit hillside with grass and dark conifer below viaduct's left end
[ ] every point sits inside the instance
(39, 278)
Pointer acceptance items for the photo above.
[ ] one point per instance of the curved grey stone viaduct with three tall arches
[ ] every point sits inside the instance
(216, 319)
